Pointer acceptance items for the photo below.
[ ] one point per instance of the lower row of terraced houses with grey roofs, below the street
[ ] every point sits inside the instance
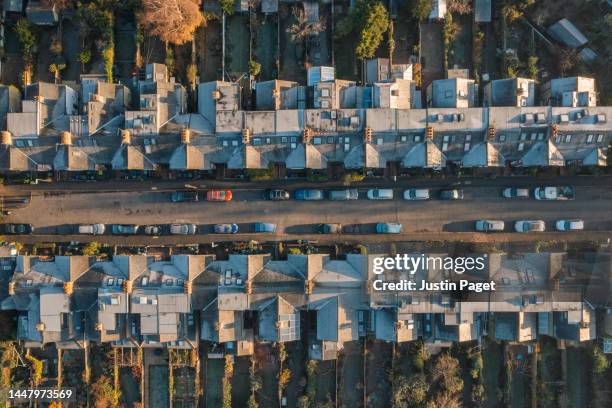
(137, 301)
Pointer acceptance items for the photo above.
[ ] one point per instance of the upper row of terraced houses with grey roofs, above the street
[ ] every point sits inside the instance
(327, 125)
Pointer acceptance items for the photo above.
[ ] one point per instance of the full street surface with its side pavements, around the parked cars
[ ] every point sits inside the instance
(54, 211)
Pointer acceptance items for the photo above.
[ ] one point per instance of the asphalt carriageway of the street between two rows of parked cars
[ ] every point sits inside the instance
(57, 212)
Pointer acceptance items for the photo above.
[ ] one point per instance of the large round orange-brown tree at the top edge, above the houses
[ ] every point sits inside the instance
(173, 21)
